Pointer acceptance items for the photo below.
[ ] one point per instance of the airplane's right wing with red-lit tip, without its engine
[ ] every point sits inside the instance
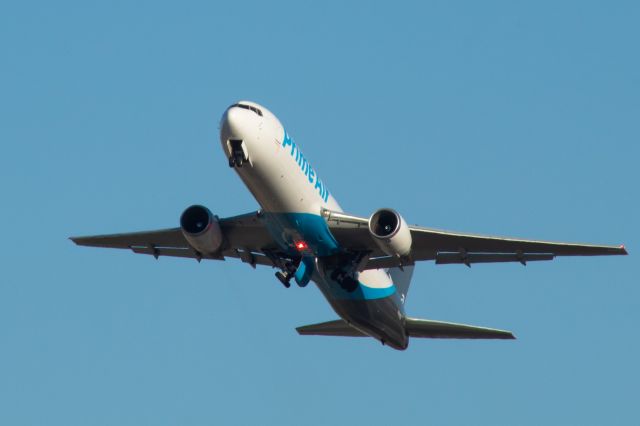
(447, 247)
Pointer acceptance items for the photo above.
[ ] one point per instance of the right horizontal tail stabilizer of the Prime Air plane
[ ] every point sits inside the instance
(449, 330)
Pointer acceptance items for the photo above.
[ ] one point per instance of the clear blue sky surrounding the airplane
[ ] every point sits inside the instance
(505, 118)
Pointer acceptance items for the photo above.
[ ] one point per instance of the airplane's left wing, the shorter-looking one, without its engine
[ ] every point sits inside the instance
(245, 238)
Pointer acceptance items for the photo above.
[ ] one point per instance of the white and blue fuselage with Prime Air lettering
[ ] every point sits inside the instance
(292, 196)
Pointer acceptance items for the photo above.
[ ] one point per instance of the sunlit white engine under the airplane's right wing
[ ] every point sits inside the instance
(390, 232)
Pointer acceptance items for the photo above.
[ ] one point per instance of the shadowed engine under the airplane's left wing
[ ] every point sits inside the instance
(201, 229)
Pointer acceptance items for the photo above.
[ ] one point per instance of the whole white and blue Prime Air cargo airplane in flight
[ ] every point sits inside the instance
(363, 266)
